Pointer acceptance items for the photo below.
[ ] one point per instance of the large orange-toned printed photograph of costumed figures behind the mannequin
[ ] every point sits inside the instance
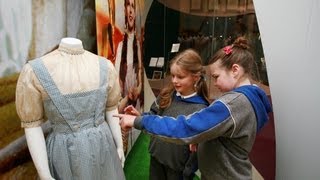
(120, 32)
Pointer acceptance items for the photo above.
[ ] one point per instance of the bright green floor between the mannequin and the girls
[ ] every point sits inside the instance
(137, 162)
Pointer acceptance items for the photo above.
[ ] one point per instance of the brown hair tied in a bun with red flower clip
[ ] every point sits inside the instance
(236, 53)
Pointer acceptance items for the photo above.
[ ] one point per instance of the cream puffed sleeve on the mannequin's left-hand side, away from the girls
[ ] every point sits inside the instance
(29, 104)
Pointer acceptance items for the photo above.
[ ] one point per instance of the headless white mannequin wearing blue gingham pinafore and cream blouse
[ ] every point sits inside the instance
(78, 93)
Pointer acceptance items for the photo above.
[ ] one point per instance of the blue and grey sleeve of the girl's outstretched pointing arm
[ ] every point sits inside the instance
(206, 124)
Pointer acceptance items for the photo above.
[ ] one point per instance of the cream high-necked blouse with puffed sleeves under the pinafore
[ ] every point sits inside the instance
(73, 70)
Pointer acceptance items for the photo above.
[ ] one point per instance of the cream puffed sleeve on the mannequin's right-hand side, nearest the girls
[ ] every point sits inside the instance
(114, 90)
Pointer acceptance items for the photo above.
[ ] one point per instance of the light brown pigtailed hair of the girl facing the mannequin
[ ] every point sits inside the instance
(190, 61)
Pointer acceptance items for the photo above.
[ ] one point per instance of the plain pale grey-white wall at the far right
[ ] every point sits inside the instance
(291, 42)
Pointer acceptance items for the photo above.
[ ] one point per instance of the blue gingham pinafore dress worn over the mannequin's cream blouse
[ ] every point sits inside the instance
(80, 146)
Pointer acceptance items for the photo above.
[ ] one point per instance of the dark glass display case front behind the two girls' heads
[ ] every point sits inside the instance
(206, 27)
